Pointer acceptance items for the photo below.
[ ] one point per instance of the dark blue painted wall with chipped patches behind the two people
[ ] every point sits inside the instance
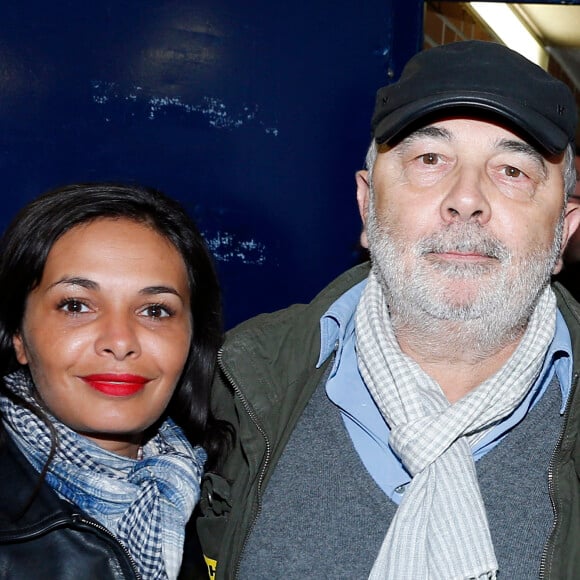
(254, 114)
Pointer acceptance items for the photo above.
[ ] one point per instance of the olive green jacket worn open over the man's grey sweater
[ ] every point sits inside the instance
(267, 376)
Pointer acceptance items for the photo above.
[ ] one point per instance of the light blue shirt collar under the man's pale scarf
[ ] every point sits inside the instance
(365, 424)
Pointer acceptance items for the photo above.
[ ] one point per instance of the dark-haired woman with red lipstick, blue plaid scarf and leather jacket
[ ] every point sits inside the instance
(110, 323)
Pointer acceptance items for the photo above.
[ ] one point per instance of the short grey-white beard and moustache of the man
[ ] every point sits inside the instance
(425, 296)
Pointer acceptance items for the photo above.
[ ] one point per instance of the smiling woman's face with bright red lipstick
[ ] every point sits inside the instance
(107, 331)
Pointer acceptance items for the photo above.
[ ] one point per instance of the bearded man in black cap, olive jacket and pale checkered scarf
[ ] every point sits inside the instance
(419, 419)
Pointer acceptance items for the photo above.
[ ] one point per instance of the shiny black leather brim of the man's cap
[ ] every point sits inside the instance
(541, 132)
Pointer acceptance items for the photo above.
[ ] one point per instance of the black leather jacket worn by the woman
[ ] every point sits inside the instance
(53, 539)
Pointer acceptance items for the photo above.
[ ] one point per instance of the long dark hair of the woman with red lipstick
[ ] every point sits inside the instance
(24, 249)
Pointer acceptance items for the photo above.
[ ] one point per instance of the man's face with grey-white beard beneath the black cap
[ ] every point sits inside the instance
(465, 224)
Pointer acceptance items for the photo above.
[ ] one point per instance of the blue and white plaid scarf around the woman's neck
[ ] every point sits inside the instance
(144, 503)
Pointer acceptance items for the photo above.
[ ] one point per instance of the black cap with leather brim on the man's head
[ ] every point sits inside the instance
(483, 79)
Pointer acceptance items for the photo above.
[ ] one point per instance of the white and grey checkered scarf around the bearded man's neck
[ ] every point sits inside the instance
(440, 530)
